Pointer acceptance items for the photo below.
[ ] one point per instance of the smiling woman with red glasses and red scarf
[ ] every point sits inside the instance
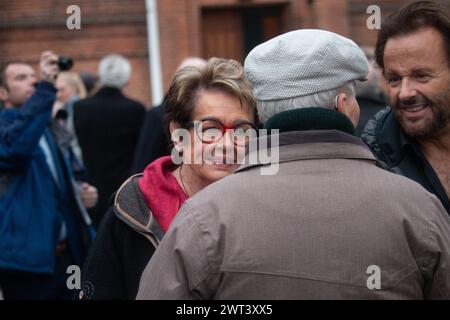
(210, 115)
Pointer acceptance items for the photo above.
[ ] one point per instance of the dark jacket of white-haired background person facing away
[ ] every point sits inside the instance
(107, 126)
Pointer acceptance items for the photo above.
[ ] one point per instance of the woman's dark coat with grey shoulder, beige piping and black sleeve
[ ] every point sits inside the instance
(125, 242)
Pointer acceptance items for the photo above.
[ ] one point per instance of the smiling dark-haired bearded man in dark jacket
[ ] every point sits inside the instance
(413, 138)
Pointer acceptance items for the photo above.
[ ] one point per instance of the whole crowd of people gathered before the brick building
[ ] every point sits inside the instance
(87, 176)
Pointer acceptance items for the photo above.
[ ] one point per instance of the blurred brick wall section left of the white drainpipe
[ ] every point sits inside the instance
(28, 27)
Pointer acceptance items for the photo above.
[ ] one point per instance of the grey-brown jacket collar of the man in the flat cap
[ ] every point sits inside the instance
(307, 145)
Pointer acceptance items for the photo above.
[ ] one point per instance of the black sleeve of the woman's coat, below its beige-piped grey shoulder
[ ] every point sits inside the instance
(115, 262)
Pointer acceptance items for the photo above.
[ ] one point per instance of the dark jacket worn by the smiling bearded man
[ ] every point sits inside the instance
(387, 140)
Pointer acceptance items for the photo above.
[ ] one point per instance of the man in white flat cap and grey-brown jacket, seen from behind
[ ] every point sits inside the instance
(330, 224)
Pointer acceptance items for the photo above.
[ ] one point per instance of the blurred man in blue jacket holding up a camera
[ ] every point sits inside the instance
(43, 227)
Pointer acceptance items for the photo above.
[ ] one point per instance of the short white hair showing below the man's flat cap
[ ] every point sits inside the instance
(324, 99)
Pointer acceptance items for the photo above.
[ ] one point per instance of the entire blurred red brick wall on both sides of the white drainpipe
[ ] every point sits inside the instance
(114, 26)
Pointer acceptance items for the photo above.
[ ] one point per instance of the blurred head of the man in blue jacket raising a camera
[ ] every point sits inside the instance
(20, 85)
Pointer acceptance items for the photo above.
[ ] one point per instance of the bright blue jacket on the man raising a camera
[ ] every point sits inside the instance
(32, 205)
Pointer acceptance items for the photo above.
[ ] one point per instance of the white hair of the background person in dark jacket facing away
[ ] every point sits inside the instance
(114, 71)
